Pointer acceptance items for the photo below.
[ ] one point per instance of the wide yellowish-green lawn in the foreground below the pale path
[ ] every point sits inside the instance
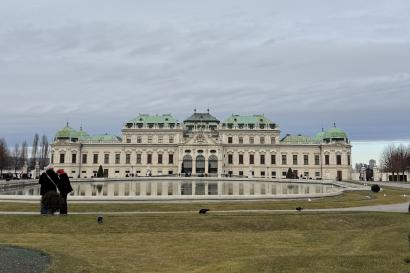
(239, 242)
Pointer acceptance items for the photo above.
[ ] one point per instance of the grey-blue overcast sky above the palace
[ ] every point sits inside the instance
(304, 64)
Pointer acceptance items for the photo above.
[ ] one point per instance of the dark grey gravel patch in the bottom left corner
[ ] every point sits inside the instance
(21, 260)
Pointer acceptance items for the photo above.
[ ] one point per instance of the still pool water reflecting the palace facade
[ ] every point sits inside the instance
(191, 187)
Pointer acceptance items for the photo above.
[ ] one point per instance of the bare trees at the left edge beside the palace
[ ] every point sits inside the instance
(17, 158)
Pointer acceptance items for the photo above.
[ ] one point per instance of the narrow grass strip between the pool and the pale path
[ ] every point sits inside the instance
(348, 199)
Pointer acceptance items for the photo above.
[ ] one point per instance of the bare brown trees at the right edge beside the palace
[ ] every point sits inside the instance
(396, 160)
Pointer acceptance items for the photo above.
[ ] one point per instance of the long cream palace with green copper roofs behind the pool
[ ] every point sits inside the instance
(249, 146)
